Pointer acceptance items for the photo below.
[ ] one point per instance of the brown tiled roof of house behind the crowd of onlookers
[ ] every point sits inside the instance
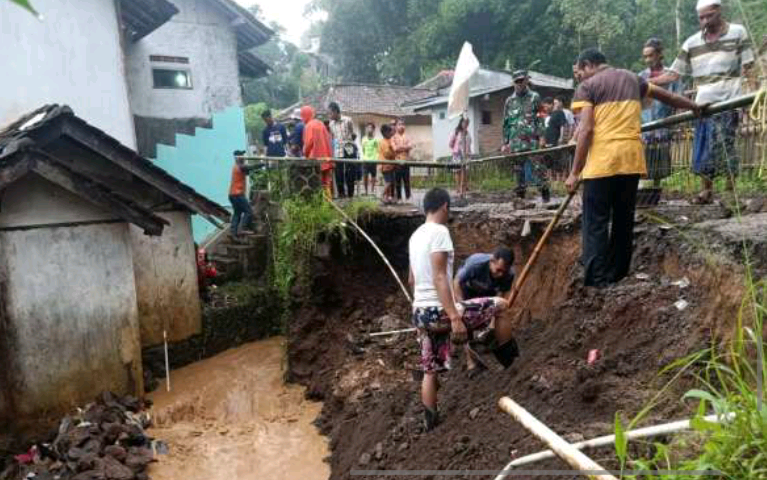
(360, 99)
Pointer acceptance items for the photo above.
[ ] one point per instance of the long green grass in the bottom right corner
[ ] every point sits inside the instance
(727, 384)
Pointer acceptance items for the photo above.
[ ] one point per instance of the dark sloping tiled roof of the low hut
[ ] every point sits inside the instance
(53, 123)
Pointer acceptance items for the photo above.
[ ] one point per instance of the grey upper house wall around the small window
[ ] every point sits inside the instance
(201, 34)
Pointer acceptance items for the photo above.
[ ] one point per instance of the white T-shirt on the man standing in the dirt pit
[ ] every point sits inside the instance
(427, 239)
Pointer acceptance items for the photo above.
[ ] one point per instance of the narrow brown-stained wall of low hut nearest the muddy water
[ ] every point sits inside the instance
(166, 281)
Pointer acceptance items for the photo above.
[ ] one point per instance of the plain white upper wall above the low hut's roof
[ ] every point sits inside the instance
(72, 57)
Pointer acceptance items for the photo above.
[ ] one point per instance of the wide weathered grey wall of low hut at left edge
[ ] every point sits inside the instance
(69, 317)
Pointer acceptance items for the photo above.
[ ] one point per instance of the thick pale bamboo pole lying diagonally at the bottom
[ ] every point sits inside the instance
(574, 457)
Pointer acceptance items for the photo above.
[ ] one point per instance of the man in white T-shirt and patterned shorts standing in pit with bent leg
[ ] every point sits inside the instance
(441, 322)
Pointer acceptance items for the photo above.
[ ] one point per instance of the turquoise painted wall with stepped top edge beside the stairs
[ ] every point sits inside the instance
(204, 160)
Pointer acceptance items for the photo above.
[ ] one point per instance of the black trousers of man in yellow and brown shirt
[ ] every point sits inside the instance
(609, 205)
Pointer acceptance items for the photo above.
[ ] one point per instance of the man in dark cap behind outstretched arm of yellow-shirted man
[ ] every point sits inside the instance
(657, 142)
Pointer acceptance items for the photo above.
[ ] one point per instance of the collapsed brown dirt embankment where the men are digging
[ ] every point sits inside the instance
(372, 411)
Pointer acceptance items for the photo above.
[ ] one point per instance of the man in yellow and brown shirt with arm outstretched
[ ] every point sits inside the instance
(609, 158)
